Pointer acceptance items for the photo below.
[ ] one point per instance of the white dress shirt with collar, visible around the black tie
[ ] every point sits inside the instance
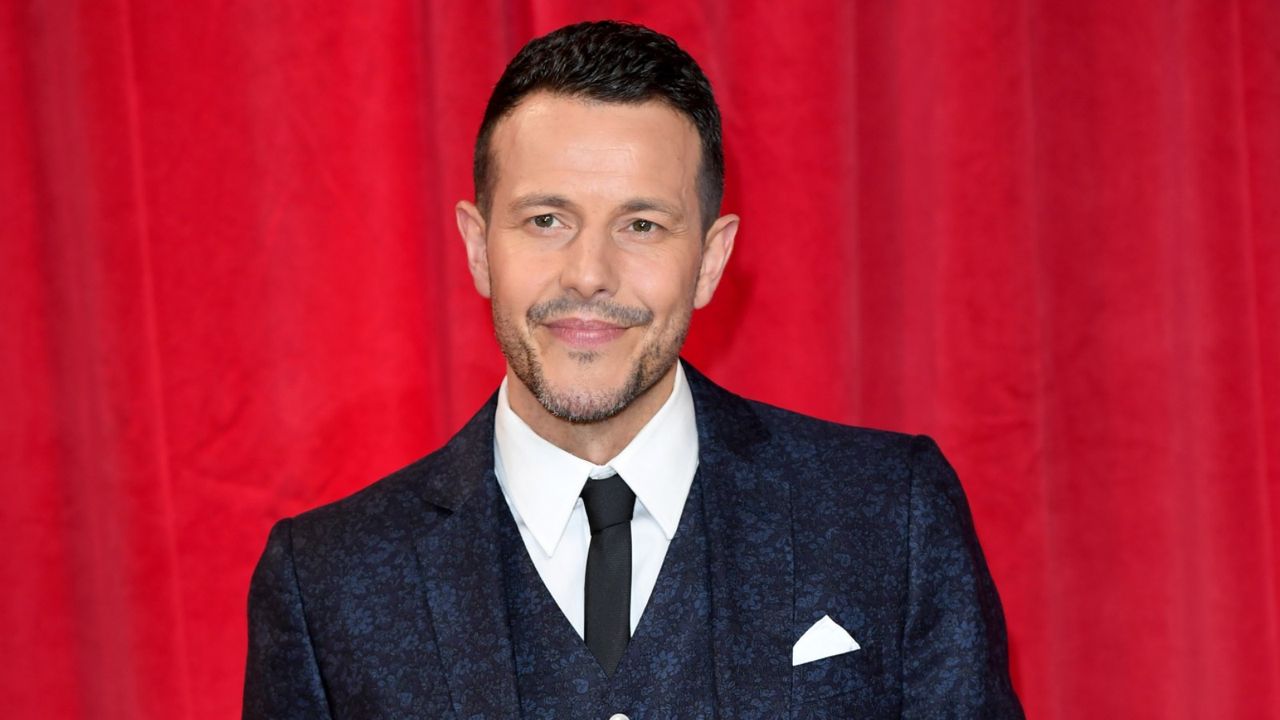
(542, 485)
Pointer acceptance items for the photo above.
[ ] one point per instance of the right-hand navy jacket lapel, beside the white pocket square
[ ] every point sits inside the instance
(748, 511)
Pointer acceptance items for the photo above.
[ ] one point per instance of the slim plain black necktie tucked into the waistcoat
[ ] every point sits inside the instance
(610, 504)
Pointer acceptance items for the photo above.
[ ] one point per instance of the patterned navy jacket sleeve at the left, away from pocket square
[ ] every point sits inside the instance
(282, 678)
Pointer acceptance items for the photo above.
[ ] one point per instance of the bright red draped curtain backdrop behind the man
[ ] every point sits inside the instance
(1045, 233)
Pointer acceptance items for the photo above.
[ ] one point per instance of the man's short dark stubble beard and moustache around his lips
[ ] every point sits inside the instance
(577, 405)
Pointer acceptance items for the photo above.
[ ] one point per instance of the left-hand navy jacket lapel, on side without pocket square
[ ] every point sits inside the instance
(463, 567)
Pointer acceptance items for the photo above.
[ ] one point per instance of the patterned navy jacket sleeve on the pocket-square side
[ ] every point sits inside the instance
(956, 653)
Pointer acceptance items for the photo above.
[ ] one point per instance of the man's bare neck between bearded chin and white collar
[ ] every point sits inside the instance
(596, 443)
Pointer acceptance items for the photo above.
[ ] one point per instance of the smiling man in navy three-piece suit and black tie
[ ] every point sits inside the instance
(614, 535)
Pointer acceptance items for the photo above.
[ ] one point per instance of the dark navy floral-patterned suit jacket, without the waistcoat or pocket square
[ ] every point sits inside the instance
(390, 603)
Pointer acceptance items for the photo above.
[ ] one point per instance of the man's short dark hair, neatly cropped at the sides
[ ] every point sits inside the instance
(610, 62)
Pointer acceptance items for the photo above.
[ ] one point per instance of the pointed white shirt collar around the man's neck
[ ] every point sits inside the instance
(543, 482)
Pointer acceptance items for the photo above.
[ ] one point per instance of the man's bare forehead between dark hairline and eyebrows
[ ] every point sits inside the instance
(604, 151)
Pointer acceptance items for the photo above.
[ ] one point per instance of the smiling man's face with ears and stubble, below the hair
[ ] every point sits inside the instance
(593, 253)
